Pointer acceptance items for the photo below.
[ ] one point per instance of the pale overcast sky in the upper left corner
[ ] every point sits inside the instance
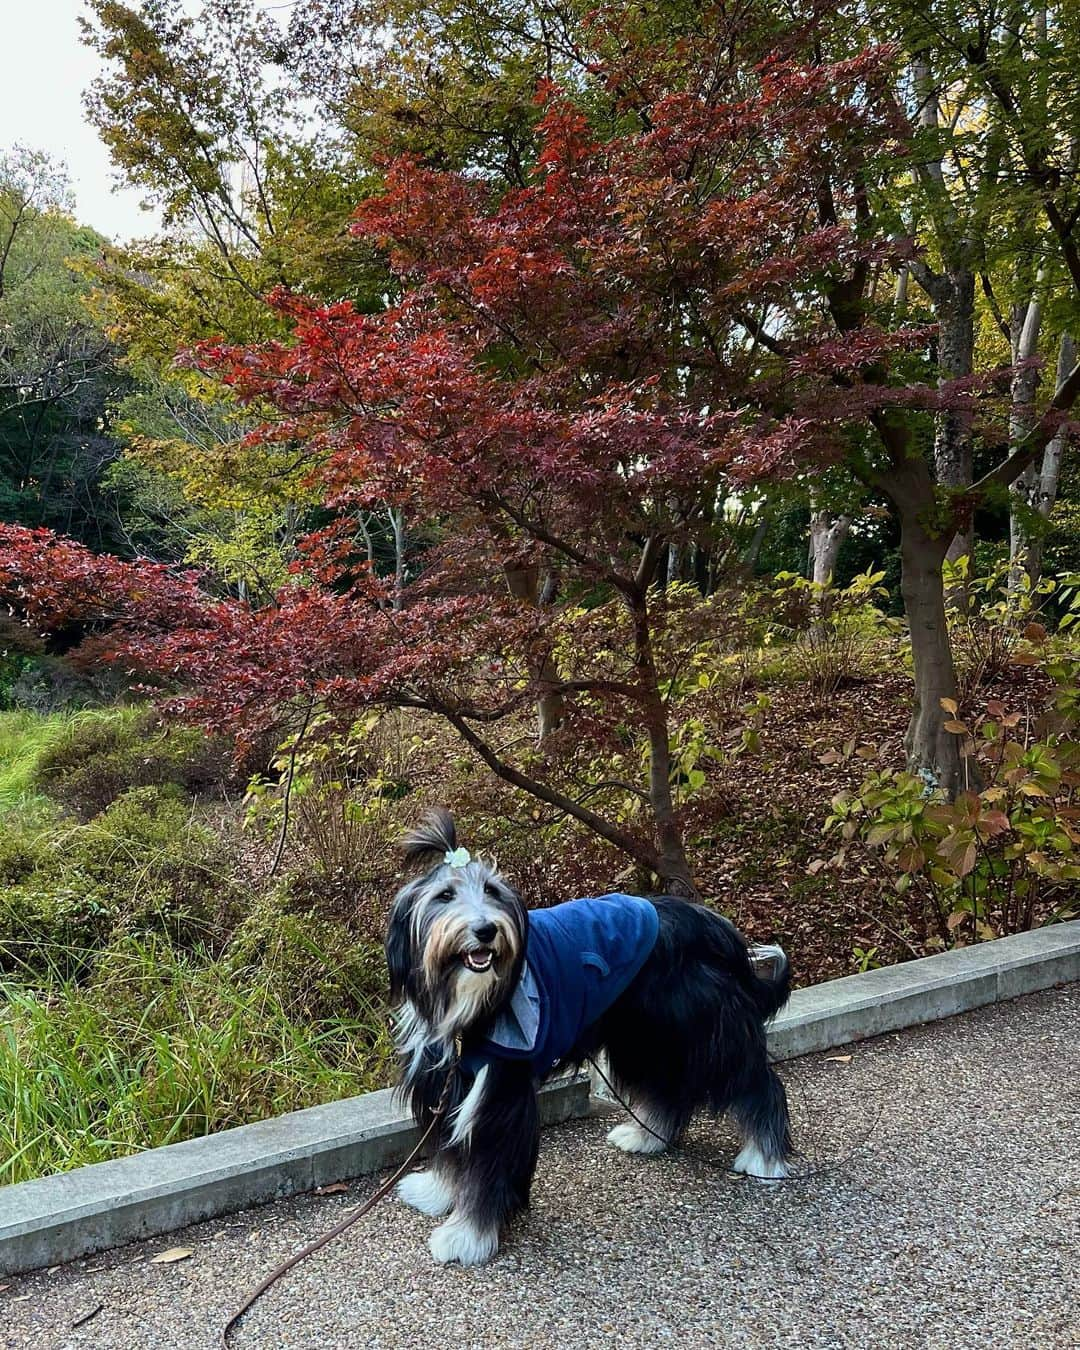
(44, 71)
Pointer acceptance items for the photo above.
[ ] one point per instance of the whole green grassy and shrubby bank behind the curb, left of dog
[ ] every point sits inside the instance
(152, 994)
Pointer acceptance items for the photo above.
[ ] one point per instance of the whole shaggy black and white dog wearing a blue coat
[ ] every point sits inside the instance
(493, 1000)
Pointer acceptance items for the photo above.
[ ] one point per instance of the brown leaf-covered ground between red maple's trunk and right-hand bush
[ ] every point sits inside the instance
(770, 867)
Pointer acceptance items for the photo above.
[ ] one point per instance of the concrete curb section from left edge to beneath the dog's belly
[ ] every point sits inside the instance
(70, 1216)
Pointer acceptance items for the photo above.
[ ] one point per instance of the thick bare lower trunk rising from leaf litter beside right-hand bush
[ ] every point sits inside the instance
(932, 753)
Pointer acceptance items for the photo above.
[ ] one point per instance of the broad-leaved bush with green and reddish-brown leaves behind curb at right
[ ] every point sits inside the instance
(1001, 858)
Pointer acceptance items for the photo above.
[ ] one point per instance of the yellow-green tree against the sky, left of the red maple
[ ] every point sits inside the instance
(199, 113)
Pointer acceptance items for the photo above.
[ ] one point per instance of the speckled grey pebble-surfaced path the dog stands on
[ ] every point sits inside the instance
(955, 1225)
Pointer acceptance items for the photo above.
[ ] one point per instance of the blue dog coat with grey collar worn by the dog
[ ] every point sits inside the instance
(580, 958)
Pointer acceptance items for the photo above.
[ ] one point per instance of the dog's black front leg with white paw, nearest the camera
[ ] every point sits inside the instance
(495, 1166)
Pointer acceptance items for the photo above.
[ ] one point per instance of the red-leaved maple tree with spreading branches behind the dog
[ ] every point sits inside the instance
(570, 381)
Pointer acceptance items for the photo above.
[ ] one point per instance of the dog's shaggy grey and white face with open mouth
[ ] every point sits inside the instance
(456, 942)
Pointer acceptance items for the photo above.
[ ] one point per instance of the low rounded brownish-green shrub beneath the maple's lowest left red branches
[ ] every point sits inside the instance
(102, 755)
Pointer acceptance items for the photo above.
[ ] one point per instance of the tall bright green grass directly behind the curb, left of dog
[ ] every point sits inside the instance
(159, 1048)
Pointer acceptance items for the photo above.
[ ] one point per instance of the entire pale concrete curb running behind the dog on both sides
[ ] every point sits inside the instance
(74, 1214)
